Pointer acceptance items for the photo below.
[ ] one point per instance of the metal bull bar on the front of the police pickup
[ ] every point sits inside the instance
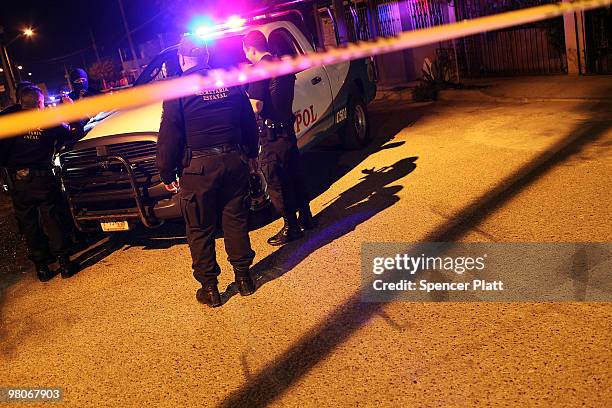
(141, 213)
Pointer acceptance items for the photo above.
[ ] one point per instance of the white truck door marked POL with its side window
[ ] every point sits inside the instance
(312, 104)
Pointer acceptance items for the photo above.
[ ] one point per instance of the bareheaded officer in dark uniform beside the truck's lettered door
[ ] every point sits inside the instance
(279, 158)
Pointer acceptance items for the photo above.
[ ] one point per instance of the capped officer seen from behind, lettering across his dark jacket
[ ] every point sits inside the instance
(203, 139)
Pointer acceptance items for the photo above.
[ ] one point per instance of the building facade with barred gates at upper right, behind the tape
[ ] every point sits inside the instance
(575, 44)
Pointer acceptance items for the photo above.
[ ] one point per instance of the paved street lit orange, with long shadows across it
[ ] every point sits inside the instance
(128, 331)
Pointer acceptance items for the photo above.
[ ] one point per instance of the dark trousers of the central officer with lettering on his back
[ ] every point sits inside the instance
(216, 185)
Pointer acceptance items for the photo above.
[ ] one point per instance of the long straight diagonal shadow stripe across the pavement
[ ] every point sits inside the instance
(270, 383)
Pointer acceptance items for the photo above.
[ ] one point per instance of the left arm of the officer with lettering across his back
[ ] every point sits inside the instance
(170, 142)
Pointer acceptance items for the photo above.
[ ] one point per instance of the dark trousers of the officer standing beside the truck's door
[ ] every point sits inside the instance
(280, 164)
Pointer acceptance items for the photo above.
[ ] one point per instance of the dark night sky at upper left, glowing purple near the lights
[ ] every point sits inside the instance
(63, 29)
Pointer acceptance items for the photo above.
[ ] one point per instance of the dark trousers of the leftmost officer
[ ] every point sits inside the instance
(37, 201)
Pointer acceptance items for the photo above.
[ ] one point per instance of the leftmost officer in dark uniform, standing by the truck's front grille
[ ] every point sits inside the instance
(35, 191)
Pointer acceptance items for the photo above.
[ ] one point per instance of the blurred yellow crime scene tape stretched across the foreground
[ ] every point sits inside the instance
(18, 123)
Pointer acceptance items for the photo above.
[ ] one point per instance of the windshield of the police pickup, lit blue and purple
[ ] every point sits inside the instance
(224, 53)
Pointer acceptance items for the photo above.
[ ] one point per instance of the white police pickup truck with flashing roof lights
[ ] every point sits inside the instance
(109, 177)
